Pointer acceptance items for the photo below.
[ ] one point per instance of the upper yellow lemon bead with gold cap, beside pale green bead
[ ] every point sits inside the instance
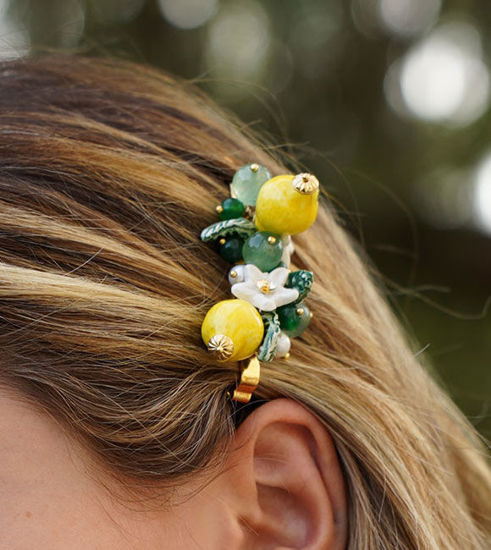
(287, 204)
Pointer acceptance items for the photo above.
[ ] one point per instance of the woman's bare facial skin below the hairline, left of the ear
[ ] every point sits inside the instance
(49, 499)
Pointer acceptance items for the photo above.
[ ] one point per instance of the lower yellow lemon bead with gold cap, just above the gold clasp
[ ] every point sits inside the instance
(232, 330)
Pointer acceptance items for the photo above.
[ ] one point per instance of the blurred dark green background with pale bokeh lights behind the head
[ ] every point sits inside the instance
(386, 101)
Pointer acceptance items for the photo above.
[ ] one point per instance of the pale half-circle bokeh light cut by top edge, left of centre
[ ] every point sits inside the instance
(188, 14)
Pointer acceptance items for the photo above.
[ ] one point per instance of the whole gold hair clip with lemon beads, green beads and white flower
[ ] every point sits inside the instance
(254, 233)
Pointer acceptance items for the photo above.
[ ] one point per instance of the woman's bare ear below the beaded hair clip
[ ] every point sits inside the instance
(285, 480)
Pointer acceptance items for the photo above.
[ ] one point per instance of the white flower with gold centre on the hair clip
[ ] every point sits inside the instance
(265, 291)
